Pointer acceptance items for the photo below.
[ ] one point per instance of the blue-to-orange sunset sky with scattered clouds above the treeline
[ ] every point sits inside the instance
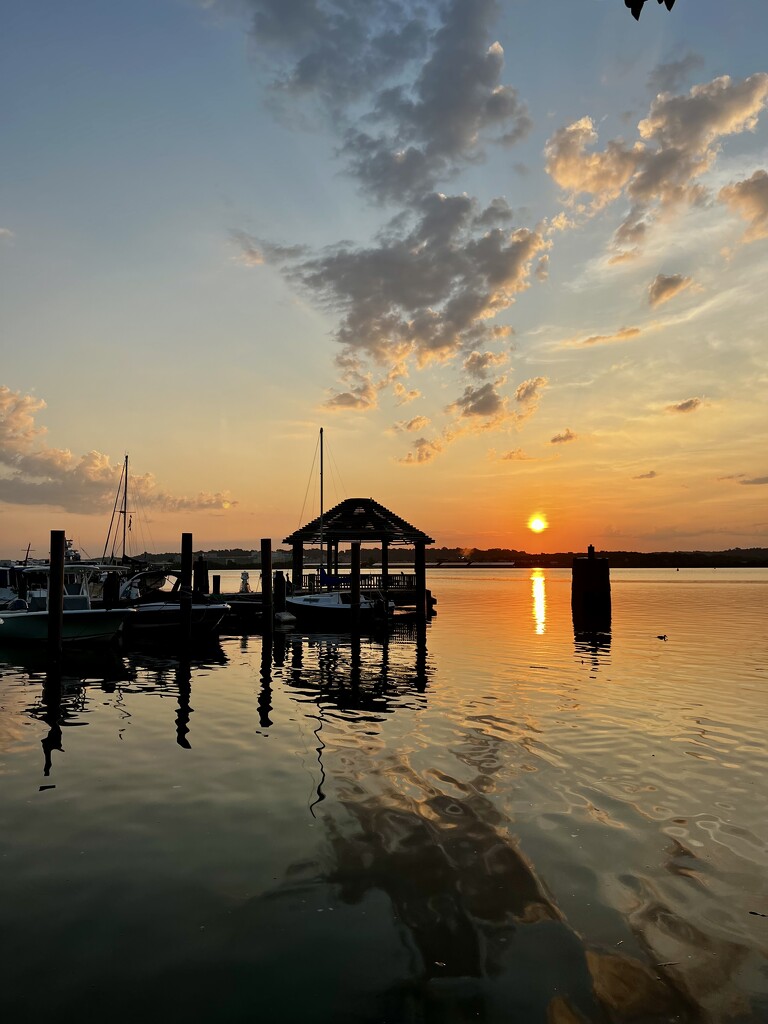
(509, 255)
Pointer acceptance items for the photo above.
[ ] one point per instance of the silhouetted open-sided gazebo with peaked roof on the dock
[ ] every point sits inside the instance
(357, 522)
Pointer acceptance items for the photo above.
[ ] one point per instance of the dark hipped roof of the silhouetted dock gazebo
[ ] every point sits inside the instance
(360, 520)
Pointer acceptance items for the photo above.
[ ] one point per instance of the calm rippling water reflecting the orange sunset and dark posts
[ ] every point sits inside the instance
(496, 822)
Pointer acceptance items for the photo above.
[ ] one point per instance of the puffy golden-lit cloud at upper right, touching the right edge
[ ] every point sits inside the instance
(678, 142)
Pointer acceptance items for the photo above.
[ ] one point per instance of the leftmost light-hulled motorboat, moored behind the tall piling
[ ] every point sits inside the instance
(26, 618)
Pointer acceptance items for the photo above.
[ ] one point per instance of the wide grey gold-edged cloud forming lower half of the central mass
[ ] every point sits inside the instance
(431, 287)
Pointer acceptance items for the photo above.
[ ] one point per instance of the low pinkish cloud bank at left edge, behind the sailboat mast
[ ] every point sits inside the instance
(38, 475)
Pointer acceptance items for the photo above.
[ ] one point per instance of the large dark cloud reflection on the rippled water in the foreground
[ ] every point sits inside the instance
(484, 936)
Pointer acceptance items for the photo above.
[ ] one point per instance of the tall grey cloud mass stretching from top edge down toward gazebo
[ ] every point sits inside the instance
(414, 94)
